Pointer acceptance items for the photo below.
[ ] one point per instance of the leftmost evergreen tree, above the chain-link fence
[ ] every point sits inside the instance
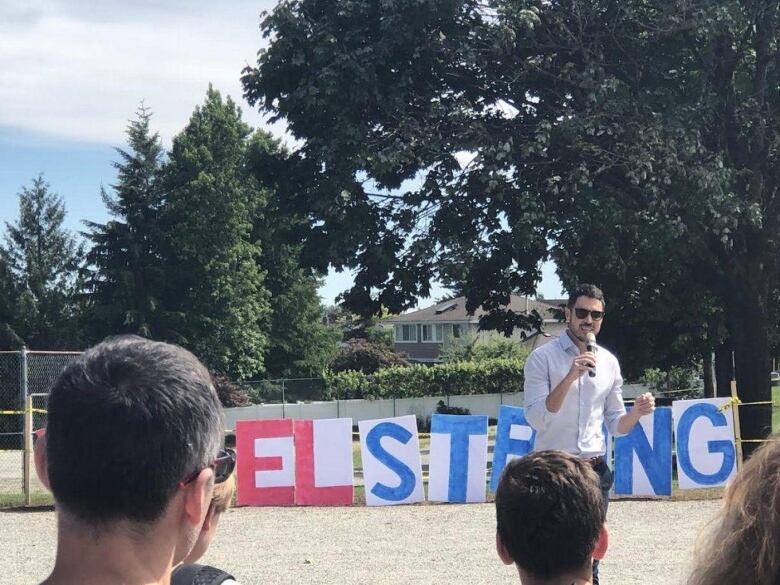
(43, 259)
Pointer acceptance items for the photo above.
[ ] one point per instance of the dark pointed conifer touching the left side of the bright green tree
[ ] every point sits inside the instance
(126, 275)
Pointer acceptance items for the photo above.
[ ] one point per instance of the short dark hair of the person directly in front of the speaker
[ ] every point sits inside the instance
(549, 512)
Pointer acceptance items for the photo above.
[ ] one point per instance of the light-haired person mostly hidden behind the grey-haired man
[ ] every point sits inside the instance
(189, 572)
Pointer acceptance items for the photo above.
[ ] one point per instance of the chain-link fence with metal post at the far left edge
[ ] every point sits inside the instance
(23, 374)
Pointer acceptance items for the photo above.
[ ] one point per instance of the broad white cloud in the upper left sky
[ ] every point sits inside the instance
(79, 70)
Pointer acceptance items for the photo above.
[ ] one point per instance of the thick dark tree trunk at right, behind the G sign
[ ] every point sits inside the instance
(752, 359)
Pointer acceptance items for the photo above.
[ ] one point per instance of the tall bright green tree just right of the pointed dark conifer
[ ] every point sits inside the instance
(214, 287)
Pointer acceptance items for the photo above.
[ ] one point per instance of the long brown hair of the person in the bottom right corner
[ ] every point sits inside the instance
(742, 544)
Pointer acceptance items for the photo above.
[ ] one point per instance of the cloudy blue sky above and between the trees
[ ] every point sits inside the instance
(73, 72)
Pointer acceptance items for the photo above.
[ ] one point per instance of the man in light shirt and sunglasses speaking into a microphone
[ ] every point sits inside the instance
(572, 388)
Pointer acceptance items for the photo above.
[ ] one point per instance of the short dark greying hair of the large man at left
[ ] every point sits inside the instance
(127, 422)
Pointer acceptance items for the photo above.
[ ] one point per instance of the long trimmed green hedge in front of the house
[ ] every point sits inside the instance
(483, 377)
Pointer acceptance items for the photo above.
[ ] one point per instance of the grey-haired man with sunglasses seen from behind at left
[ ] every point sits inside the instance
(131, 453)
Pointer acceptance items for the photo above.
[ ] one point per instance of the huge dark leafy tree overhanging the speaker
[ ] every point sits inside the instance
(493, 132)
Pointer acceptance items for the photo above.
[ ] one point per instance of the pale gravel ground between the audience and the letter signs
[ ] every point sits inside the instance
(651, 543)
